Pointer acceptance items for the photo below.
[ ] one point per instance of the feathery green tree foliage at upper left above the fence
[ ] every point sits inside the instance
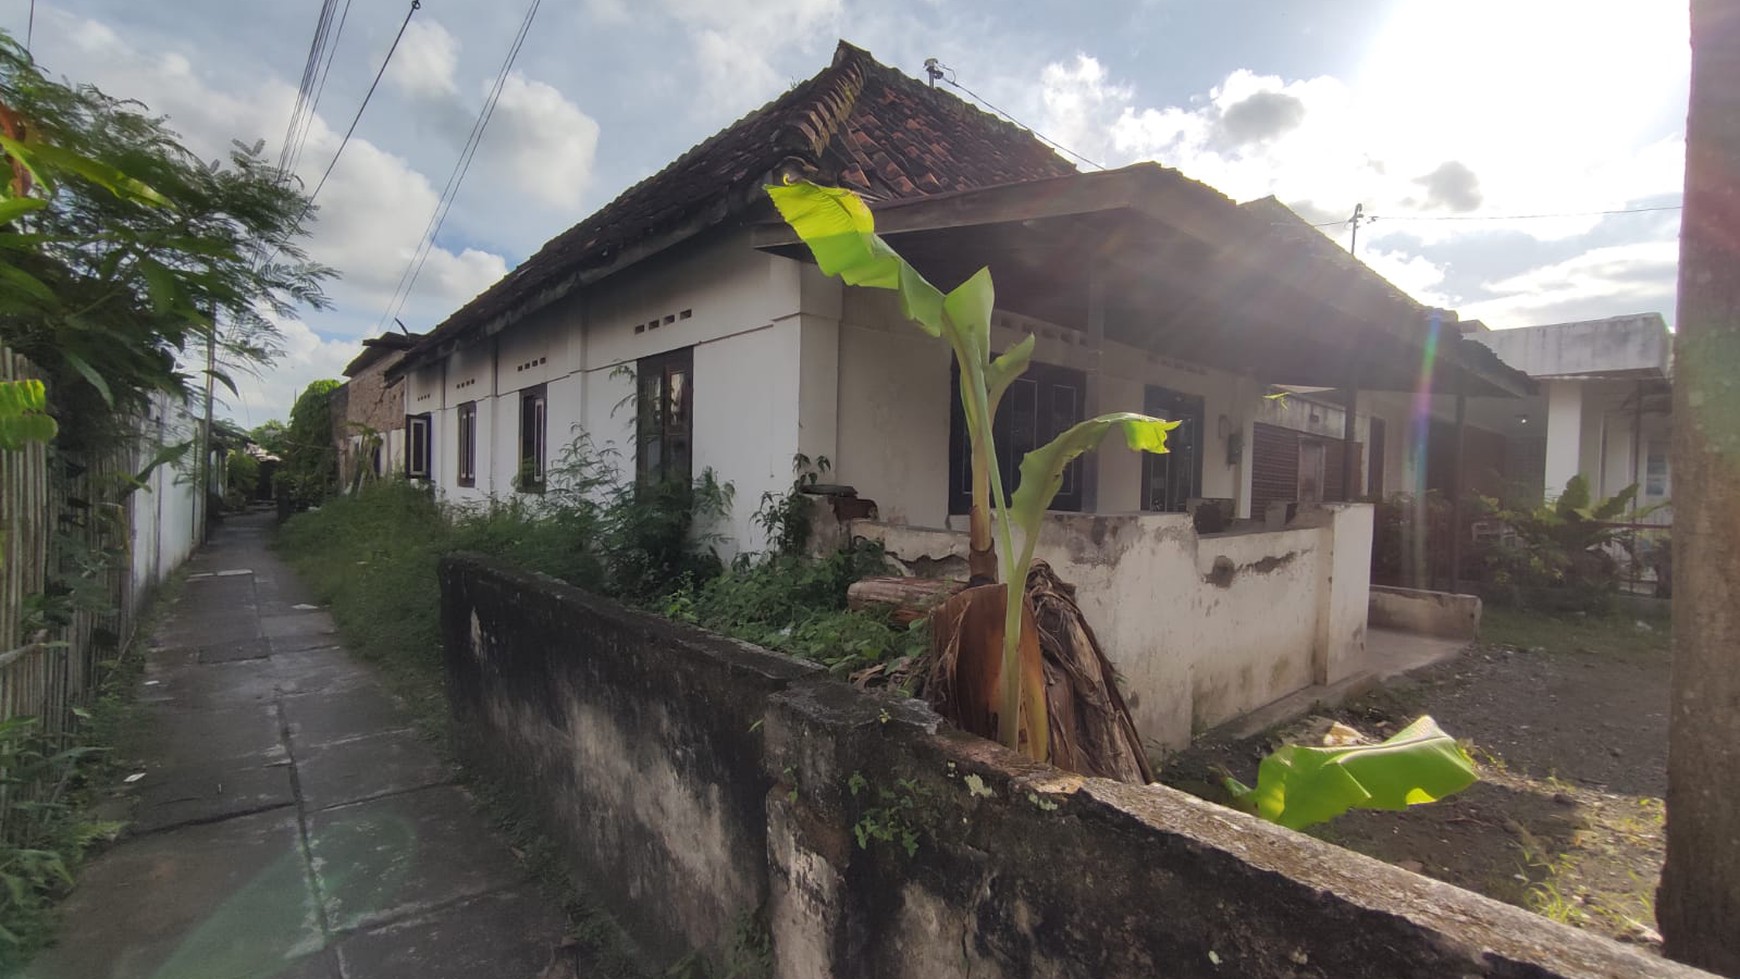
(123, 253)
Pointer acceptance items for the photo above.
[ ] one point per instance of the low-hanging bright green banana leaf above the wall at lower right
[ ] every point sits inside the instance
(1301, 785)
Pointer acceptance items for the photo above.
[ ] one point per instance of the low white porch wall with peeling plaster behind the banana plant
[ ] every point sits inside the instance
(1201, 629)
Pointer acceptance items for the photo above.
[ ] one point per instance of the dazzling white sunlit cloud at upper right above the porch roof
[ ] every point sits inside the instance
(1572, 107)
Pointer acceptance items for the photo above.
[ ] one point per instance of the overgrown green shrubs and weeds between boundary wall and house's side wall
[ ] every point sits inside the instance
(375, 556)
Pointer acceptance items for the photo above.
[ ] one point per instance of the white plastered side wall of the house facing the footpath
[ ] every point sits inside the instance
(766, 359)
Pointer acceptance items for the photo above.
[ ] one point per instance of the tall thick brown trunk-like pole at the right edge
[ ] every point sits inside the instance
(1699, 902)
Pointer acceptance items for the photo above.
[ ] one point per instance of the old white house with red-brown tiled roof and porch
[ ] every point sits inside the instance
(686, 328)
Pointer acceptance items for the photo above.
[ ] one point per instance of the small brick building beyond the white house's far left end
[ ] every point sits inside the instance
(370, 413)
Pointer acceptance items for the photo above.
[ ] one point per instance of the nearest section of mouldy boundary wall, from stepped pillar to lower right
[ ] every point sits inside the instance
(1022, 870)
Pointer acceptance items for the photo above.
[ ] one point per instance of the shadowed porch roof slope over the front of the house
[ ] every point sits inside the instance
(1154, 260)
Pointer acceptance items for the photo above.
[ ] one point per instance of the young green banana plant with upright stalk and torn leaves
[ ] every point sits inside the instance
(840, 232)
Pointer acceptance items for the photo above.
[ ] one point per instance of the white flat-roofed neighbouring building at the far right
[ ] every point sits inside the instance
(1605, 406)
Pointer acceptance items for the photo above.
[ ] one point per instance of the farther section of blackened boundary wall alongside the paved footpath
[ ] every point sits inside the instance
(636, 738)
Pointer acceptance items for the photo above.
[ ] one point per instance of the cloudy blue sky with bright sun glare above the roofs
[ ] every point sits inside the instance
(1452, 124)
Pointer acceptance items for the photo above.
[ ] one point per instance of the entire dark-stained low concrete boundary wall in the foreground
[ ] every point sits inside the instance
(697, 783)
